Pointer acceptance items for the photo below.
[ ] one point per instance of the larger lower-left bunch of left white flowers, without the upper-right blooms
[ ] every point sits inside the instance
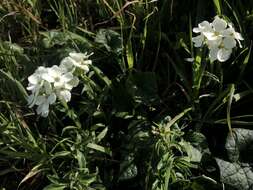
(48, 84)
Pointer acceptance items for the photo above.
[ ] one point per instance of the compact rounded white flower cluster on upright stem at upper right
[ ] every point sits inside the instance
(219, 36)
